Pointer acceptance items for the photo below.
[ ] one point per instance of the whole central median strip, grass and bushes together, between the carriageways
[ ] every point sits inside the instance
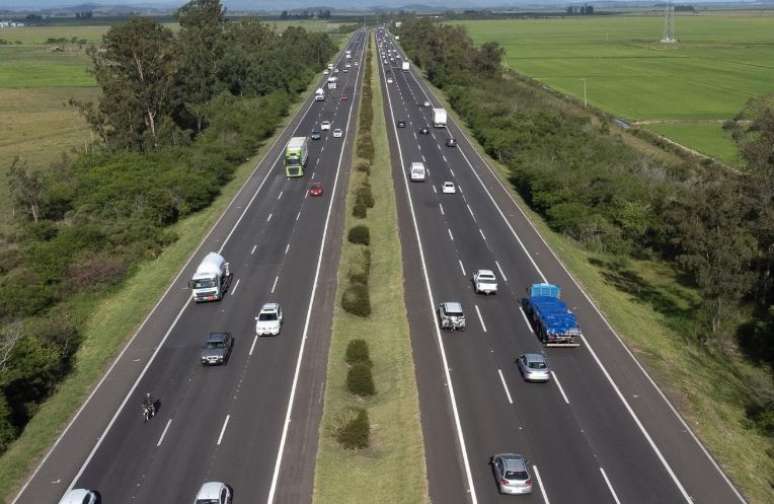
(371, 447)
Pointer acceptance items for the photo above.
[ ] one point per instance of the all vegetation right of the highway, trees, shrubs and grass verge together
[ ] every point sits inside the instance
(683, 249)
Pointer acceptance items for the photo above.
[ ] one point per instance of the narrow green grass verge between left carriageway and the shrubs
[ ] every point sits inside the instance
(111, 320)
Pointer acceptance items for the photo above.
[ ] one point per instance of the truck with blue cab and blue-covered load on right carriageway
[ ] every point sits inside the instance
(553, 322)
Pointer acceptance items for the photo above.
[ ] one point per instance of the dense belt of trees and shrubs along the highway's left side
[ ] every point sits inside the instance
(178, 111)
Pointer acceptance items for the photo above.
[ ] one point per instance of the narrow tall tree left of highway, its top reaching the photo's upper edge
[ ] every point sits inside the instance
(202, 25)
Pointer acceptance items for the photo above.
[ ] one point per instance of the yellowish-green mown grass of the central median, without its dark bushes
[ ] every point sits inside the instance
(392, 468)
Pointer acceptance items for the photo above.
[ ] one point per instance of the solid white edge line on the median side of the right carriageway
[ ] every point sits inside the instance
(439, 339)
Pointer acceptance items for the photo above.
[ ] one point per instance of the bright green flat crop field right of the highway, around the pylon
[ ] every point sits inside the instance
(683, 90)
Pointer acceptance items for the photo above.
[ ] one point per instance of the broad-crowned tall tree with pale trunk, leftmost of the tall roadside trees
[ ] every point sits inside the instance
(135, 68)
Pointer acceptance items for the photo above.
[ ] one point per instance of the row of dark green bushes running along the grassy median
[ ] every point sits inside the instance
(354, 432)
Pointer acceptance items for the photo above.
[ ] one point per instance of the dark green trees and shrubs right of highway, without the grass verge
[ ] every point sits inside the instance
(714, 225)
